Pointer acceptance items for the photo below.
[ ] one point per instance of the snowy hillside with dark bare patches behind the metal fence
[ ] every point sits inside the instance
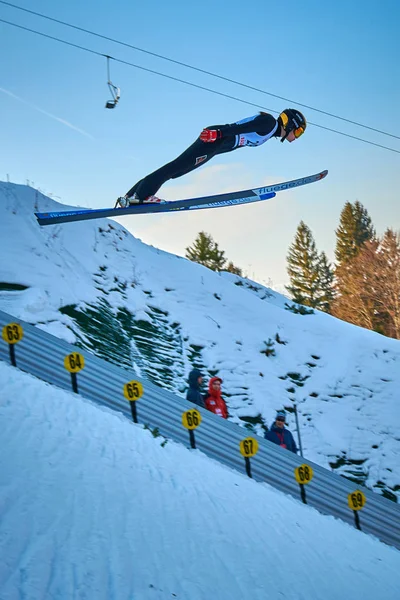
(96, 285)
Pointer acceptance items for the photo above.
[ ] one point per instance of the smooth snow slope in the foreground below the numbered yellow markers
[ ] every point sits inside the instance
(93, 507)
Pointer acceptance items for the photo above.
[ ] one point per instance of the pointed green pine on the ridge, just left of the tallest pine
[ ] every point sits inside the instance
(308, 272)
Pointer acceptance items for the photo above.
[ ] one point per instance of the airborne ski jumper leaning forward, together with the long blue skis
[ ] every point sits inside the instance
(218, 139)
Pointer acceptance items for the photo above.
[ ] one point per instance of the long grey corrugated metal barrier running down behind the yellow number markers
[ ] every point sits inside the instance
(42, 355)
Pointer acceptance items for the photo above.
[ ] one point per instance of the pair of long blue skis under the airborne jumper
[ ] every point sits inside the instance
(217, 201)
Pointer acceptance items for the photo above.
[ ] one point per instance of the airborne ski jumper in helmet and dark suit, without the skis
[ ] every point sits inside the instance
(217, 139)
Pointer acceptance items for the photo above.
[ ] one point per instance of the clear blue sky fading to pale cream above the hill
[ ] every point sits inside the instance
(342, 58)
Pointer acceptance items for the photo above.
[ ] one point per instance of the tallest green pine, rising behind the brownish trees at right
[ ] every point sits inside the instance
(355, 228)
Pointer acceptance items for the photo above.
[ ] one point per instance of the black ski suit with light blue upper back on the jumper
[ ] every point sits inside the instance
(252, 131)
